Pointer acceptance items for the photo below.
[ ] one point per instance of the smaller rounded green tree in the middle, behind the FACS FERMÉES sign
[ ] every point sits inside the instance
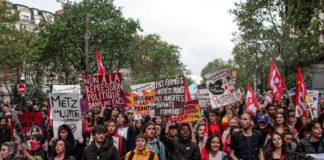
(155, 59)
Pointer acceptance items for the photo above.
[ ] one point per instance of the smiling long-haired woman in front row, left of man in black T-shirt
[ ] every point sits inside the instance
(213, 149)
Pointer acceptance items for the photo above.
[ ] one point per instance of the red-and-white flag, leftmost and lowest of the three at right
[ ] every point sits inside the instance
(251, 103)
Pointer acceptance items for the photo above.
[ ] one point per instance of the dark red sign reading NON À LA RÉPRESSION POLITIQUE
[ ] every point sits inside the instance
(104, 90)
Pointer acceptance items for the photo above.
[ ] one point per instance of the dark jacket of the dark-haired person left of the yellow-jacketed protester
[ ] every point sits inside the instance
(107, 152)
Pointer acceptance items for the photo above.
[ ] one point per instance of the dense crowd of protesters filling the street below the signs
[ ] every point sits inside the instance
(274, 133)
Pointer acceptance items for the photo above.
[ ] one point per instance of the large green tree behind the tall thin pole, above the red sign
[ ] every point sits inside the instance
(110, 32)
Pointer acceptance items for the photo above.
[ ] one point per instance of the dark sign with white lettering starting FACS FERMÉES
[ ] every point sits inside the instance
(170, 98)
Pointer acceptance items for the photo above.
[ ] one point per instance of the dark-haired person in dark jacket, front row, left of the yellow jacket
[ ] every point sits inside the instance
(100, 148)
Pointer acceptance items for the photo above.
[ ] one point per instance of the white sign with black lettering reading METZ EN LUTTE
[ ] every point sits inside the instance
(65, 106)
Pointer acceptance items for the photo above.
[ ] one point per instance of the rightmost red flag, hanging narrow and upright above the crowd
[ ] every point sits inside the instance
(301, 96)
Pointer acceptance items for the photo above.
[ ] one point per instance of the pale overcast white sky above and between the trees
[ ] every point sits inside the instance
(201, 28)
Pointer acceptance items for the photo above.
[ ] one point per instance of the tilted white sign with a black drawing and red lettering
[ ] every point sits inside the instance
(221, 88)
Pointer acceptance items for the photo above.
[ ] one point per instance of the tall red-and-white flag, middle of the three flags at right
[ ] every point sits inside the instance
(275, 81)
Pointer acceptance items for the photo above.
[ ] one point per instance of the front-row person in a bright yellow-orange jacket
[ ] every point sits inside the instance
(141, 152)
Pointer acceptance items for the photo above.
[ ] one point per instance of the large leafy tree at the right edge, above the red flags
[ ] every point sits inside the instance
(273, 28)
